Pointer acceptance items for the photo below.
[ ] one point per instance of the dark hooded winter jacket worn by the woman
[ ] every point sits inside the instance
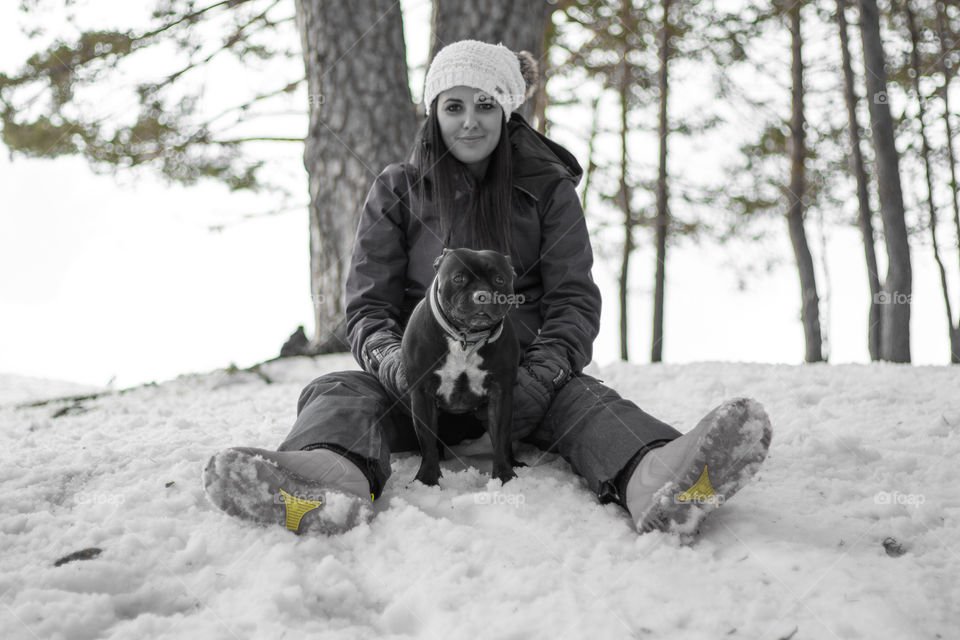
(398, 239)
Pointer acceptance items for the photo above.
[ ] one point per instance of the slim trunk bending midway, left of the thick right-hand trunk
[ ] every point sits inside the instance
(810, 310)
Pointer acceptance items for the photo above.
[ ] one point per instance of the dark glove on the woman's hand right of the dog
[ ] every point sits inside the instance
(538, 380)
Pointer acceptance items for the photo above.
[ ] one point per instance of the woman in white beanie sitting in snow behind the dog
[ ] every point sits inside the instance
(481, 177)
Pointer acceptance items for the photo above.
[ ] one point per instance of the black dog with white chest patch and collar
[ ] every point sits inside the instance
(461, 354)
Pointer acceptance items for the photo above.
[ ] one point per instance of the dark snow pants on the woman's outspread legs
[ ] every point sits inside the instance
(589, 424)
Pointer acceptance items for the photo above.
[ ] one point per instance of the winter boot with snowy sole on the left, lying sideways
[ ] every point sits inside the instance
(306, 491)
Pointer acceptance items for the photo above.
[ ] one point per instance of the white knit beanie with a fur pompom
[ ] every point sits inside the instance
(507, 76)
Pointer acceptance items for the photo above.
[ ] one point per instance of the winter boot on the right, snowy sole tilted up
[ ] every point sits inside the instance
(676, 485)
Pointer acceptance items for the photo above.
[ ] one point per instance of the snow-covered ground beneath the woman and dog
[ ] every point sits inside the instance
(860, 454)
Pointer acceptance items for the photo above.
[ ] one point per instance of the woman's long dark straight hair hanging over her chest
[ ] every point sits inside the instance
(483, 220)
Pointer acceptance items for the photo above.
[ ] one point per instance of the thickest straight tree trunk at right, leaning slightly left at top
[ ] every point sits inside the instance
(895, 332)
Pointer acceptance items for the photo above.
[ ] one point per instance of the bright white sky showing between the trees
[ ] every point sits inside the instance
(120, 280)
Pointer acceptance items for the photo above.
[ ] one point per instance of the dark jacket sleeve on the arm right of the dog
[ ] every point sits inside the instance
(570, 306)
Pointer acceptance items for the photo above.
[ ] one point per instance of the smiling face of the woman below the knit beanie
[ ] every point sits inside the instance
(470, 122)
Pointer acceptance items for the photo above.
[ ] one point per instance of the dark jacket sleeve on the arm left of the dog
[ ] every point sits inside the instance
(377, 277)
